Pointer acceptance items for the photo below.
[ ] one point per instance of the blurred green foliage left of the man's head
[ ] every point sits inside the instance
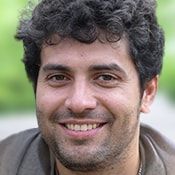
(15, 91)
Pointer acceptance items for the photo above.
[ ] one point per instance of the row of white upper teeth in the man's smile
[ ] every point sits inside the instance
(83, 127)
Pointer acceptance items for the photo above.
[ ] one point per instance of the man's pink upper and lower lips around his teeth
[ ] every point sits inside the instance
(81, 135)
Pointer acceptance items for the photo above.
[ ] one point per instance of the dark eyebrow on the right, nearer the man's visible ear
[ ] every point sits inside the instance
(112, 67)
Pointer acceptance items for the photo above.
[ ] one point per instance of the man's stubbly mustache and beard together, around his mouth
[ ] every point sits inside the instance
(111, 150)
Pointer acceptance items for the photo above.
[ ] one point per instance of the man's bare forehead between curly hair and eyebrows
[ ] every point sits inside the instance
(76, 54)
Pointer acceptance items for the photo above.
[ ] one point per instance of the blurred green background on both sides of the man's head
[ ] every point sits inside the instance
(16, 92)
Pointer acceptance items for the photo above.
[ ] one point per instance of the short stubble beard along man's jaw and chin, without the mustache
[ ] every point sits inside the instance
(104, 156)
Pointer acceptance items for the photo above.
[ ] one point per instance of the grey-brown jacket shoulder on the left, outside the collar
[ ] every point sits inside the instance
(13, 150)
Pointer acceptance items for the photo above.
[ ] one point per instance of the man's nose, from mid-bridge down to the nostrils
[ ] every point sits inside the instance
(80, 98)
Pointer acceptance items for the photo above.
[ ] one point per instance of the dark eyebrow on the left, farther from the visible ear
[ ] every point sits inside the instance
(56, 67)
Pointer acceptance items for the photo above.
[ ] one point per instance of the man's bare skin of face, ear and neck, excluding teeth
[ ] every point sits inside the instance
(91, 84)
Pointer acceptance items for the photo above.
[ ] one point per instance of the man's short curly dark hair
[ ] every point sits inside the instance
(89, 20)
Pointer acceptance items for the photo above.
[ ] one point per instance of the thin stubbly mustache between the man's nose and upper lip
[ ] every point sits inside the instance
(66, 114)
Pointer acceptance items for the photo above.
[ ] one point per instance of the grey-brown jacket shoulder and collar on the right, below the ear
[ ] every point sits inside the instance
(158, 148)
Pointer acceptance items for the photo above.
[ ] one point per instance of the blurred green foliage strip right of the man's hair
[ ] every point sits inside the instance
(166, 17)
